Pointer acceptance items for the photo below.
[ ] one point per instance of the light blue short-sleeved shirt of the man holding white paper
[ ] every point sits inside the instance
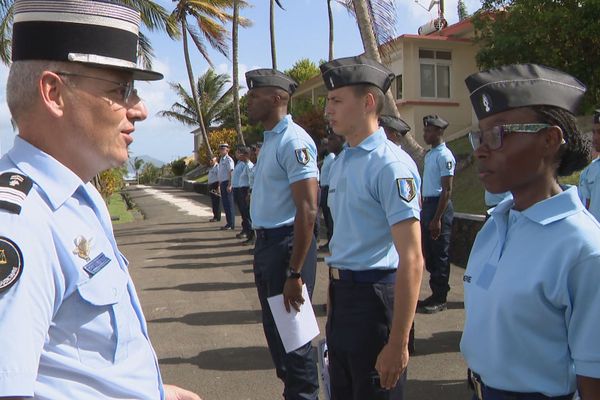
(288, 155)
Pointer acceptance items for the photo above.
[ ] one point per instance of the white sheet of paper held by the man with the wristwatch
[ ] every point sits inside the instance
(295, 328)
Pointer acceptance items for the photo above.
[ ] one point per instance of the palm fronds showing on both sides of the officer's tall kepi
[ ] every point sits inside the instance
(154, 17)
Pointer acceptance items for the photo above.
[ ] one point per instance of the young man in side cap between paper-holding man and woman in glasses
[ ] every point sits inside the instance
(376, 262)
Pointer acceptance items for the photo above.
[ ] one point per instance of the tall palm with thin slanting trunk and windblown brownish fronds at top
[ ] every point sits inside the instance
(209, 16)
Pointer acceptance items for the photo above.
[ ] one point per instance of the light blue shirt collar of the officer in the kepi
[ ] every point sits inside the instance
(55, 180)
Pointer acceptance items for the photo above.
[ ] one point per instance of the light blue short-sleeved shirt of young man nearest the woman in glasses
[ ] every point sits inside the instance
(372, 187)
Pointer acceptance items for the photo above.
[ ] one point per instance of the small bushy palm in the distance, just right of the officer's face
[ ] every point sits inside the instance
(215, 101)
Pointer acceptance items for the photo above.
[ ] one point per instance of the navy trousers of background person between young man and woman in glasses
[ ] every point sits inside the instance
(437, 260)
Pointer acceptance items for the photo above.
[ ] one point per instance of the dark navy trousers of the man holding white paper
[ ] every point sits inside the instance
(297, 369)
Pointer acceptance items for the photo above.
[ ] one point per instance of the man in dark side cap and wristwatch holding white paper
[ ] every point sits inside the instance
(283, 211)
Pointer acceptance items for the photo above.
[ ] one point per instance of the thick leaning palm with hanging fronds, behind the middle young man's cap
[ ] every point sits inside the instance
(376, 22)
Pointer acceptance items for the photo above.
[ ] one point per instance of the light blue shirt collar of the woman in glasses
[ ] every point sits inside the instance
(549, 210)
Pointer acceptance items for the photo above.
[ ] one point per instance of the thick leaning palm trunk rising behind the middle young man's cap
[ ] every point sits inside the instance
(367, 35)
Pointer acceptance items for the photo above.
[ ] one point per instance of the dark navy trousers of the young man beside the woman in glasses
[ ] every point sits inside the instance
(358, 327)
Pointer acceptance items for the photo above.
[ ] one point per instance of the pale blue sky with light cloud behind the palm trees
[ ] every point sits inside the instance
(301, 32)
